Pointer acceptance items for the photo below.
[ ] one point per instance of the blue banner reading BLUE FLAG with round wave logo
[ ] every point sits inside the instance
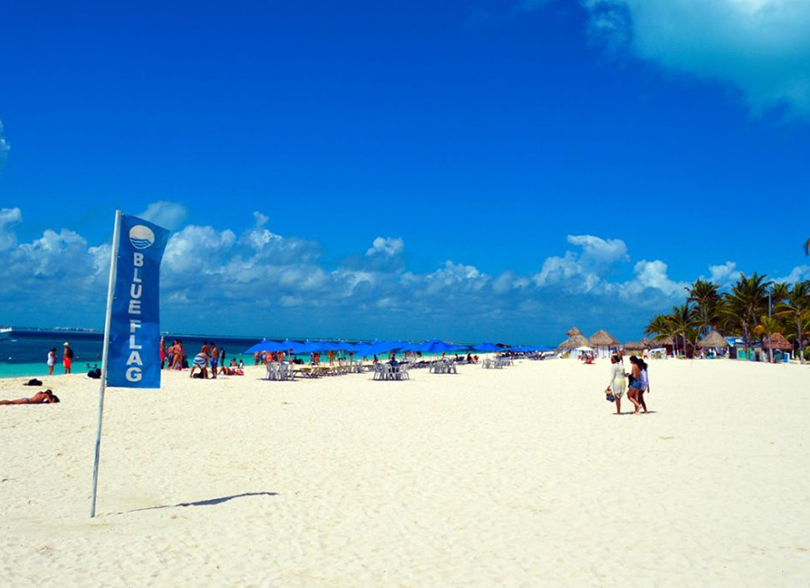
(134, 350)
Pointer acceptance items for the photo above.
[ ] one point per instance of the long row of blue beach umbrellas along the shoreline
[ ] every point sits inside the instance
(382, 347)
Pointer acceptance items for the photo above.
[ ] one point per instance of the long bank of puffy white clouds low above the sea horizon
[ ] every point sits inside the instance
(263, 280)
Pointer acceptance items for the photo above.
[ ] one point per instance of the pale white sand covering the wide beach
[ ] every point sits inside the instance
(511, 478)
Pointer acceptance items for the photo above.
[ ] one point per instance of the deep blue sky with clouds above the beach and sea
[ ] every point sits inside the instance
(466, 170)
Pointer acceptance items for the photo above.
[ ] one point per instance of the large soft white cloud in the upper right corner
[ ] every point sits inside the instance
(761, 47)
